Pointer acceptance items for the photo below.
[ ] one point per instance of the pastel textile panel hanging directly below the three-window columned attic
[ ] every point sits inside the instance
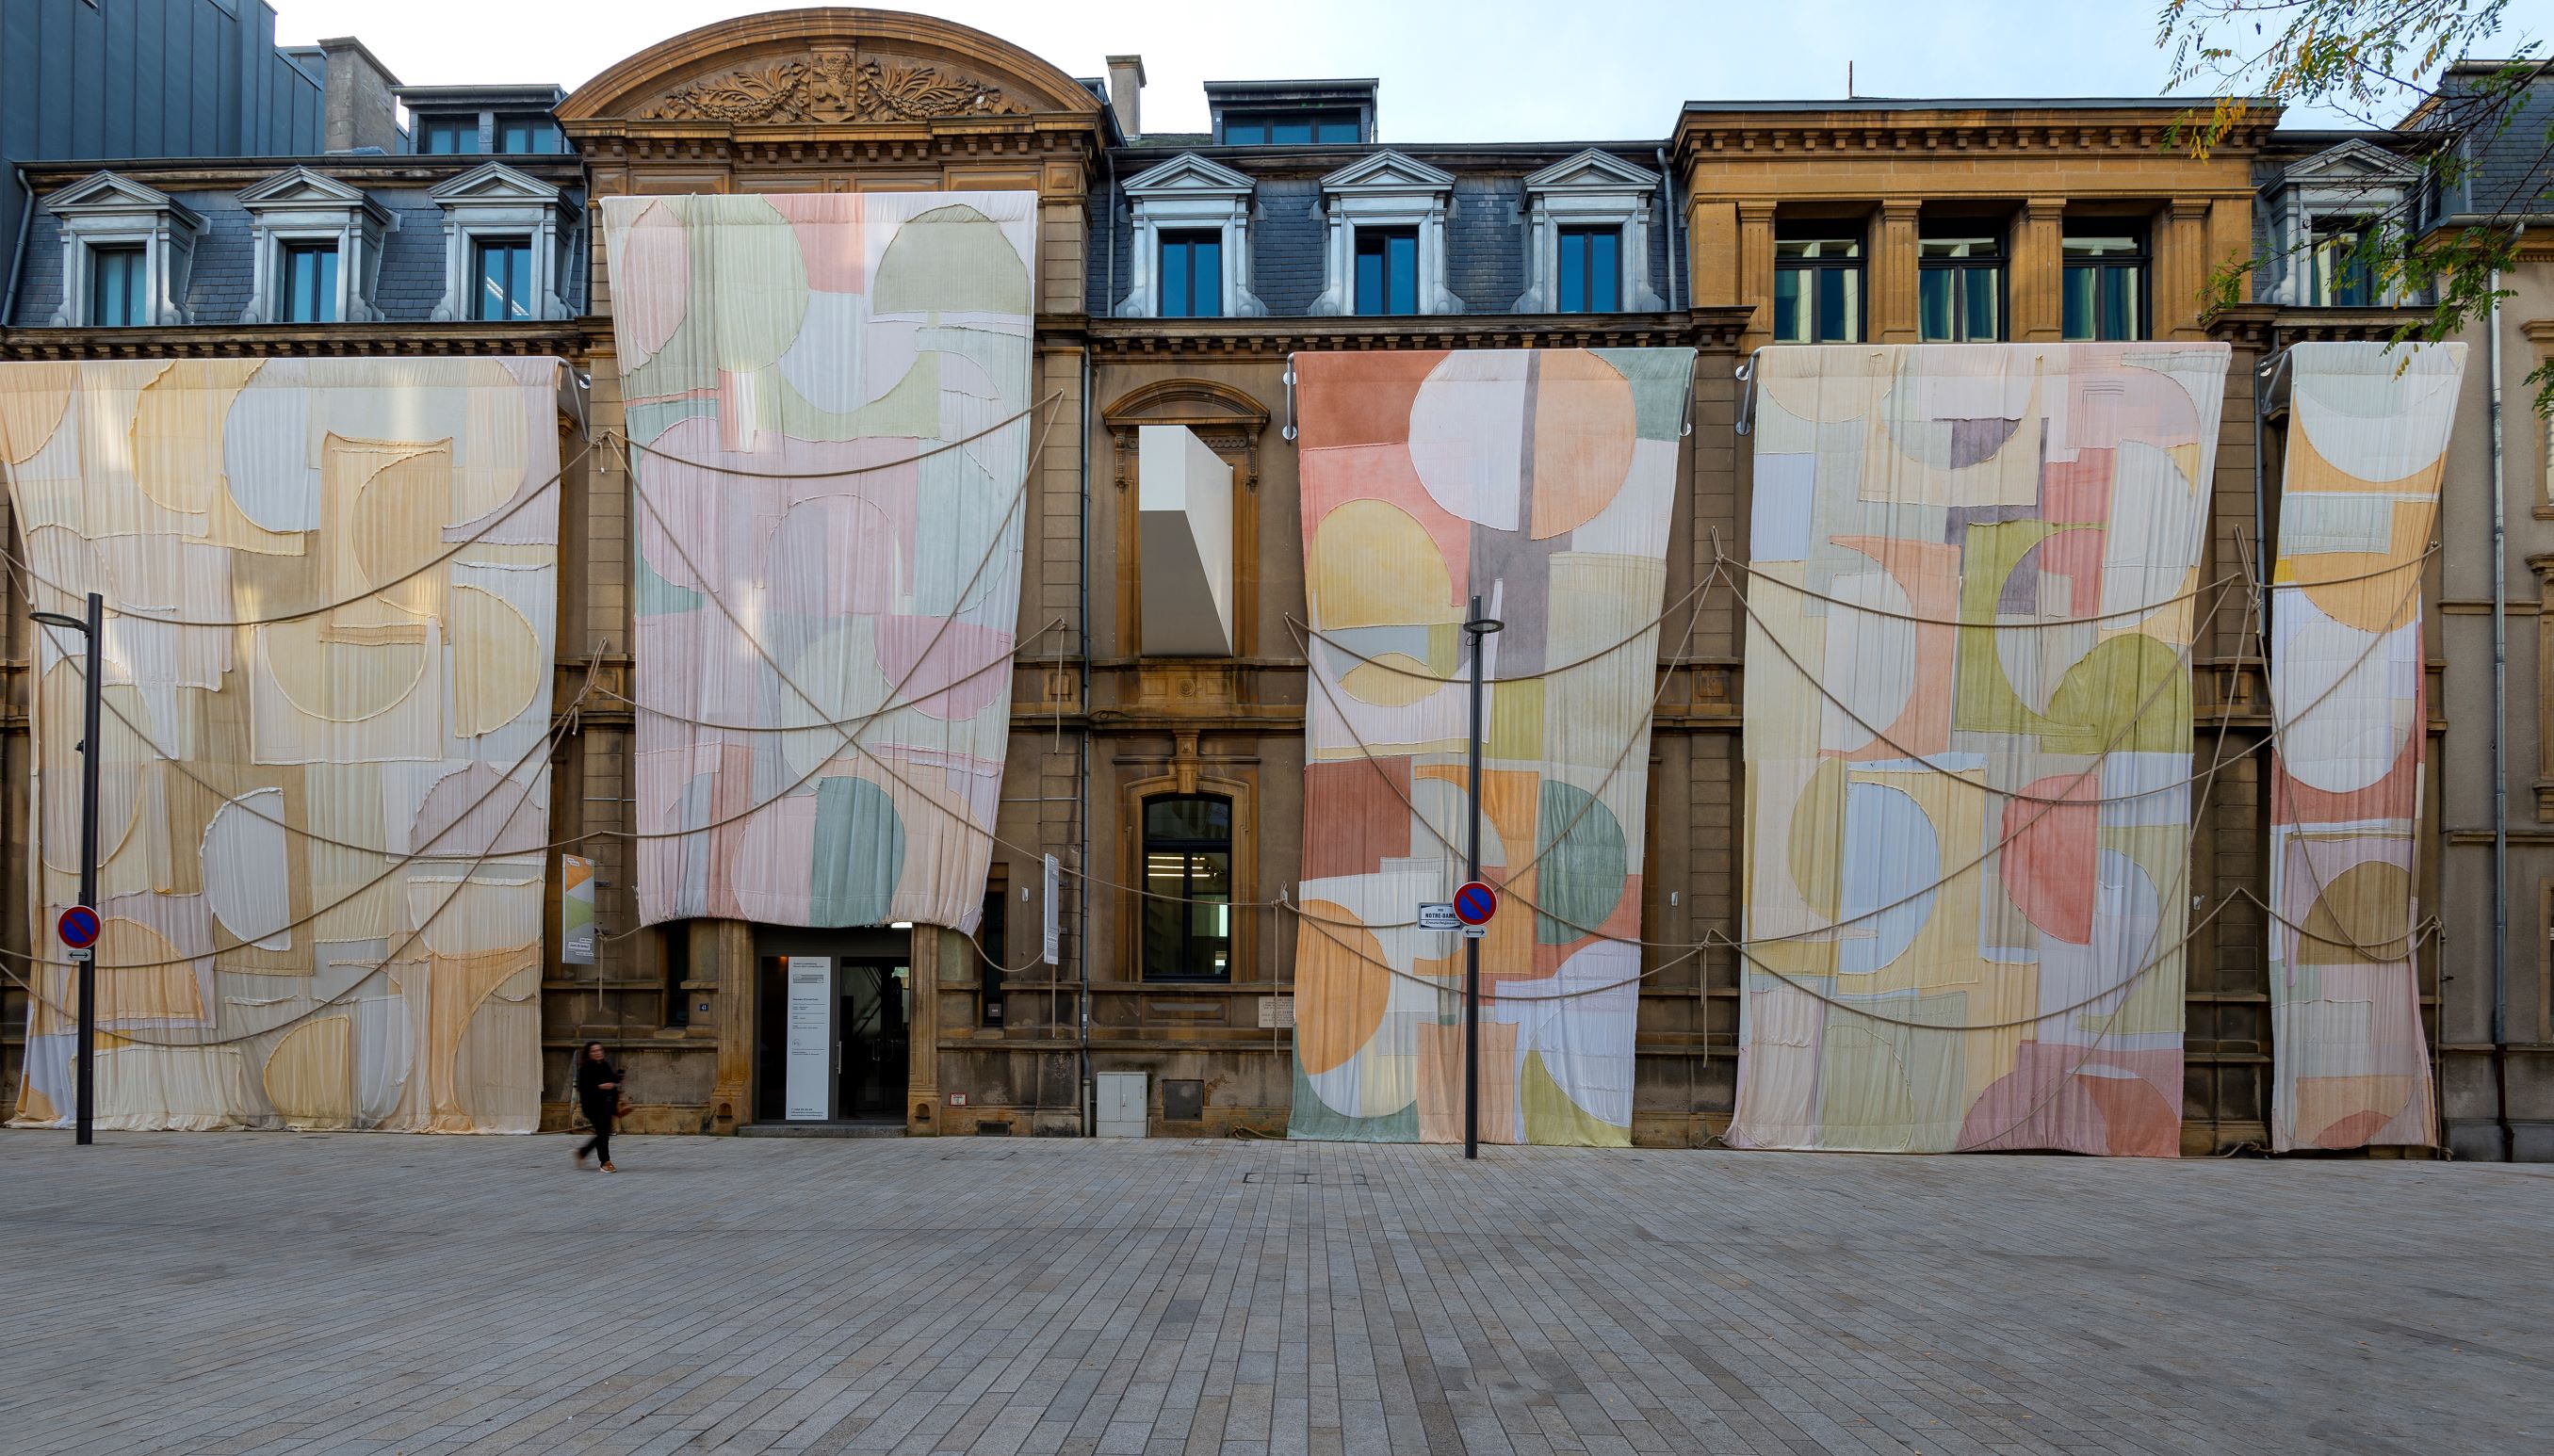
(1970, 745)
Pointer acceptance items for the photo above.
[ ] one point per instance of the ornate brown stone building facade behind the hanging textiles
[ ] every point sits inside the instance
(1746, 224)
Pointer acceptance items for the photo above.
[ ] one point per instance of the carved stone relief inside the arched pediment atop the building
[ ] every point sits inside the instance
(831, 86)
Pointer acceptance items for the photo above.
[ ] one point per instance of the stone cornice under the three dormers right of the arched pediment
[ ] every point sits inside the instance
(1278, 338)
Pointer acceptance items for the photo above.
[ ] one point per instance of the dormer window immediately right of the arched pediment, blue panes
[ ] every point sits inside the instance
(1191, 244)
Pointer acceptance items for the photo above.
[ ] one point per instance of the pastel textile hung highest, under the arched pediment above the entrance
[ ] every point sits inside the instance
(829, 405)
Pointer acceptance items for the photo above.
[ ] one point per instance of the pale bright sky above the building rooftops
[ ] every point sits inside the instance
(1452, 70)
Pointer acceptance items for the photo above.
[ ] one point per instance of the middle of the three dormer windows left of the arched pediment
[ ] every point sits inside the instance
(318, 252)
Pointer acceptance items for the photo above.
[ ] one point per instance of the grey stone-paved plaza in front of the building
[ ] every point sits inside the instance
(443, 1294)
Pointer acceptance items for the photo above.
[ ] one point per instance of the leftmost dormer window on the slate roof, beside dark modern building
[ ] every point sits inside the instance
(126, 254)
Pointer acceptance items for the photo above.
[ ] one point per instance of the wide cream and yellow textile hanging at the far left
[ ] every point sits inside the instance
(326, 734)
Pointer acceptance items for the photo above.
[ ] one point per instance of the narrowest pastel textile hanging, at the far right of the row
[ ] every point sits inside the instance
(2359, 502)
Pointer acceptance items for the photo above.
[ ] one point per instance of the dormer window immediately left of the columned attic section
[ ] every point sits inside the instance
(1587, 239)
